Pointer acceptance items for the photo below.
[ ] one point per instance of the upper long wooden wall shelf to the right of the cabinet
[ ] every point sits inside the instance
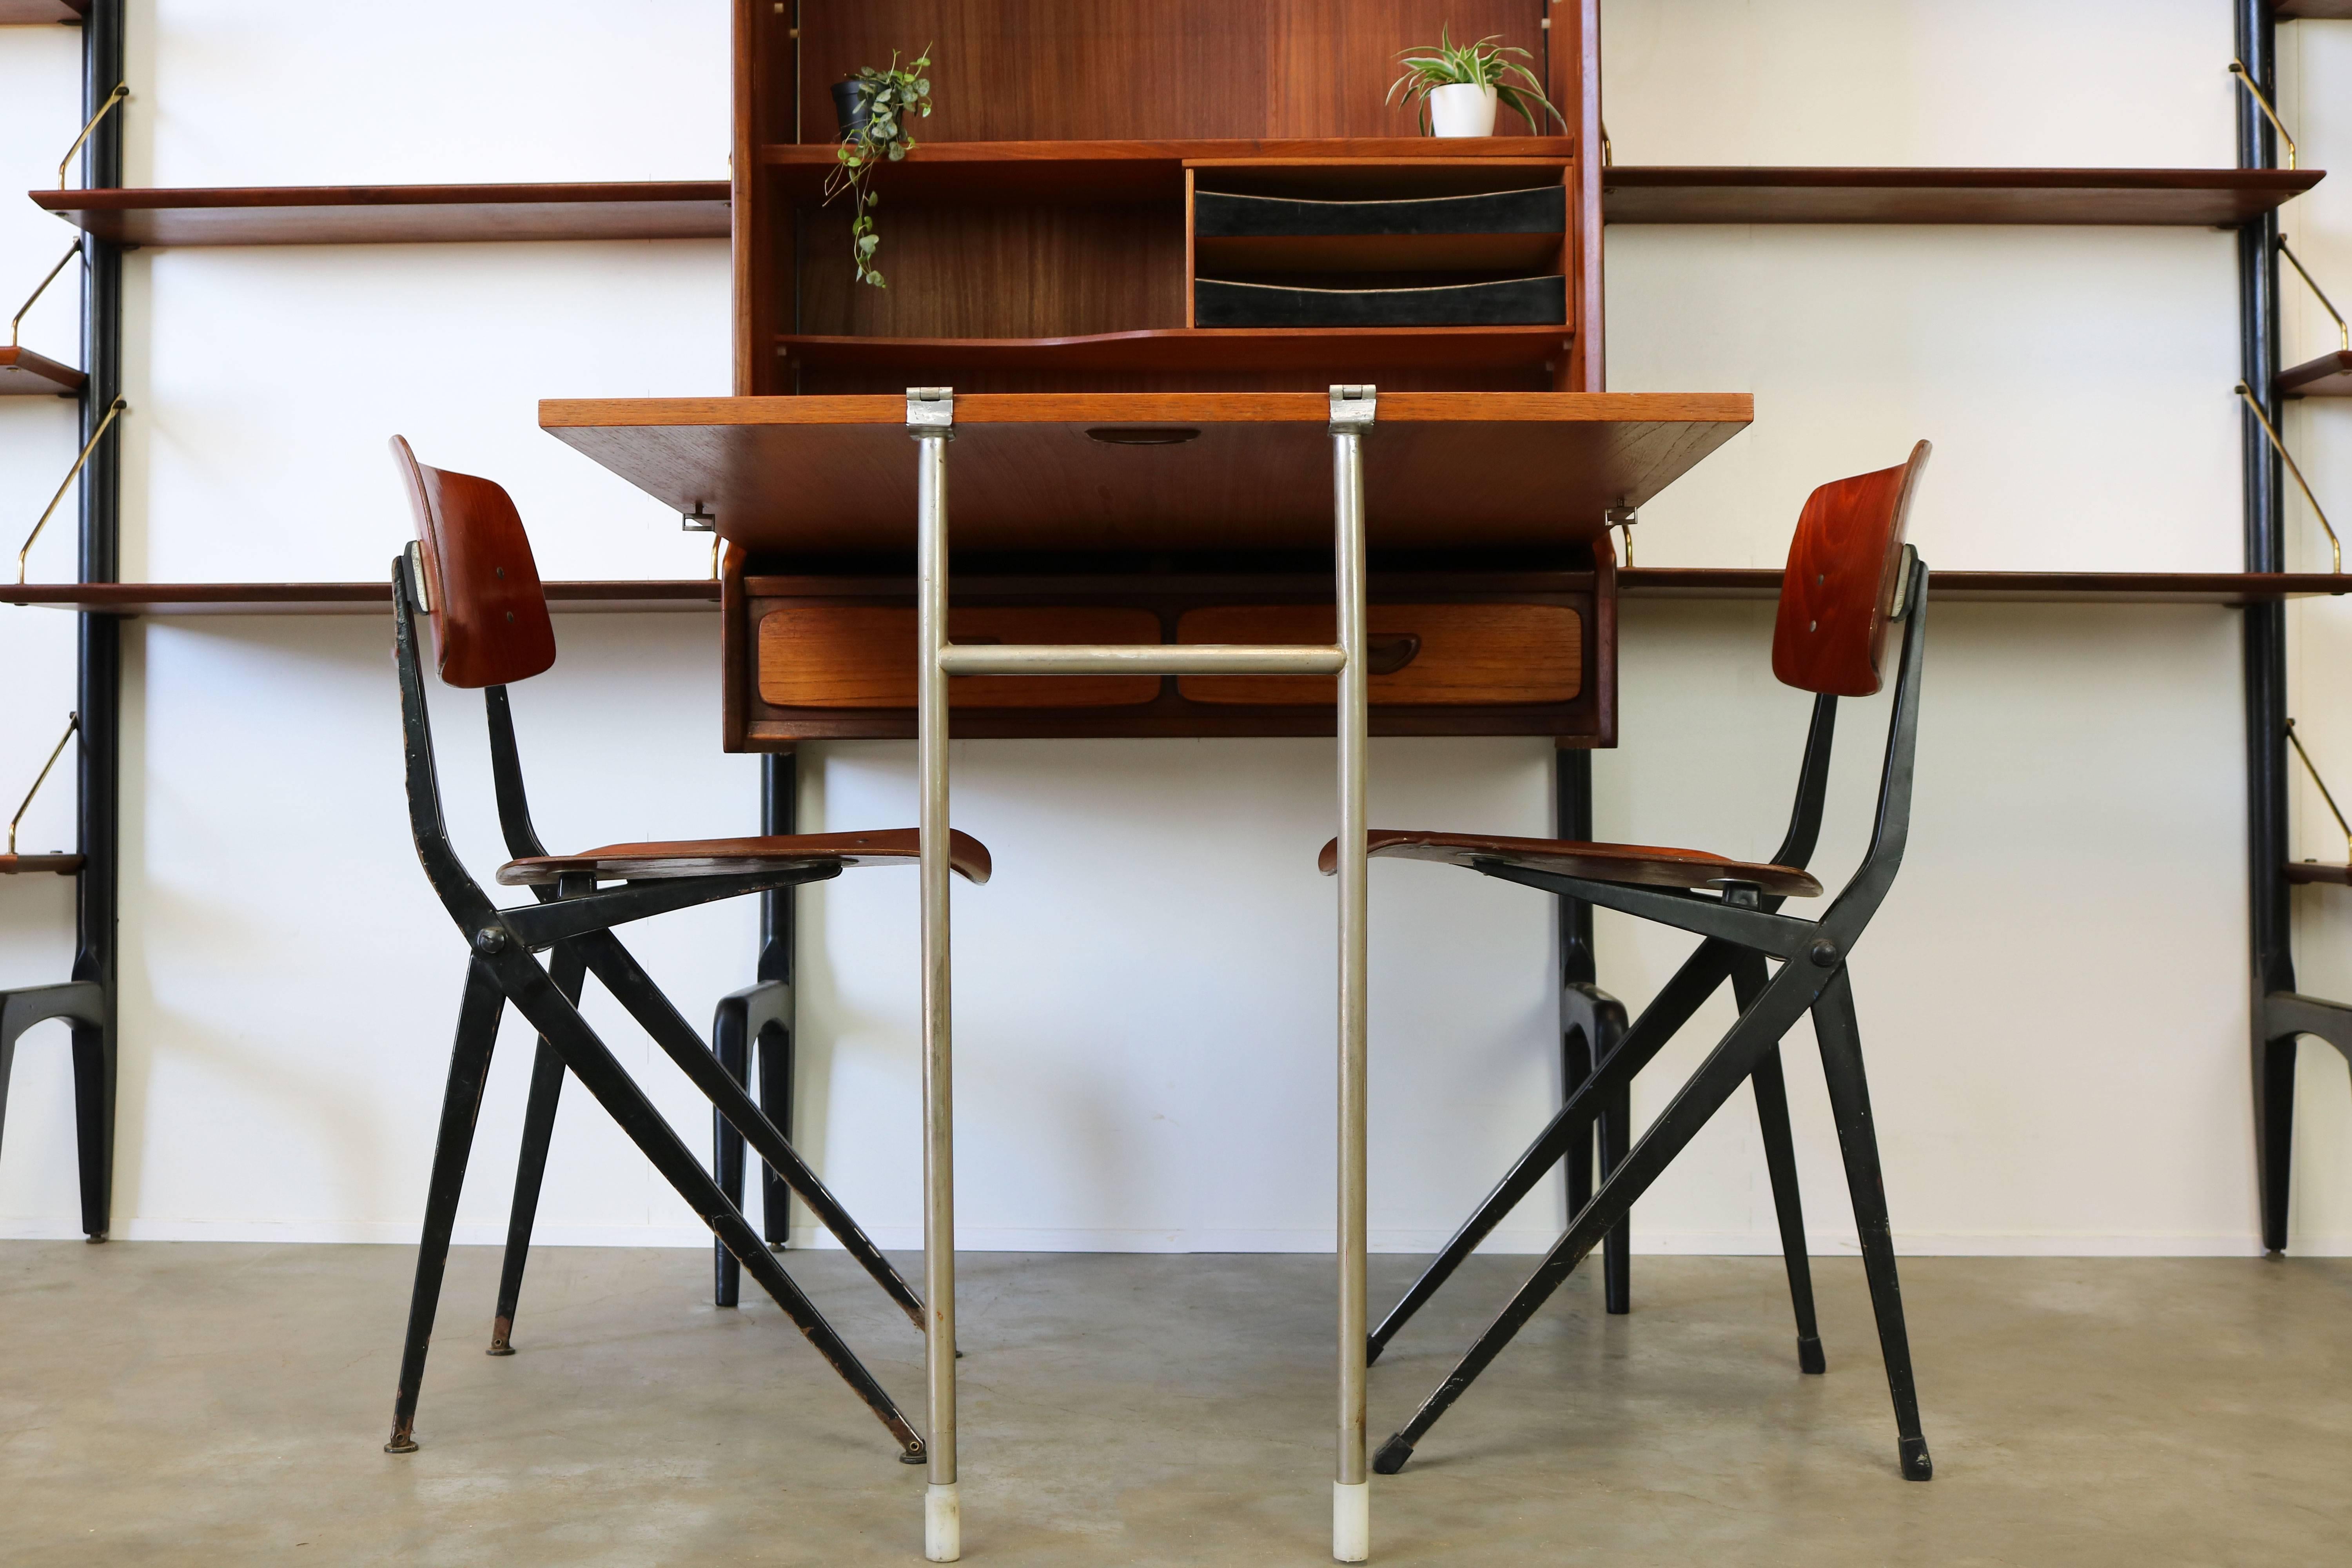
(2198, 199)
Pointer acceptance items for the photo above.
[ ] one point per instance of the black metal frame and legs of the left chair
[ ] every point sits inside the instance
(573, 925)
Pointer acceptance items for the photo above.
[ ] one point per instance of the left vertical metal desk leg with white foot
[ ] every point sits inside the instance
(933, 429)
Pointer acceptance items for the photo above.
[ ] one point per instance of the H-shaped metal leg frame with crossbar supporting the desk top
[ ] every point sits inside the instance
(930, 417)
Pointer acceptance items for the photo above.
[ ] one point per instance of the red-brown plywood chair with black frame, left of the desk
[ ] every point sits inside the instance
(472, 575)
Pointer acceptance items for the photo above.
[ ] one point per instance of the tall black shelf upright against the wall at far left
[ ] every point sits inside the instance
(100, 657)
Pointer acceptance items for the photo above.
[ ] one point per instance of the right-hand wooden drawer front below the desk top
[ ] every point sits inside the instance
(1459, 655)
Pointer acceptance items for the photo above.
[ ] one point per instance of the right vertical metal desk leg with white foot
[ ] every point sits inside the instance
(1351, 1494)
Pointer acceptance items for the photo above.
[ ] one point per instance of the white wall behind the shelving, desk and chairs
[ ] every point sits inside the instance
(1144, 989)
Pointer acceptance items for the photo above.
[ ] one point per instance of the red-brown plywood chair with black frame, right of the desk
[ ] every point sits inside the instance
(1850, 582)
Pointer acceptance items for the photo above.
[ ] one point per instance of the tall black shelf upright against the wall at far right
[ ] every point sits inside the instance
(2273, 967)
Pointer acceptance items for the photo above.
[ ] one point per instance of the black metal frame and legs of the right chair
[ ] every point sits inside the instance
(1742, 932)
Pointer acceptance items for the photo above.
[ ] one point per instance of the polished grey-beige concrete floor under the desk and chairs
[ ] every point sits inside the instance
(227, 1405)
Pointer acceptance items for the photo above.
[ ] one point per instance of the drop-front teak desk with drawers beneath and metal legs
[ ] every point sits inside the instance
(1438, 558)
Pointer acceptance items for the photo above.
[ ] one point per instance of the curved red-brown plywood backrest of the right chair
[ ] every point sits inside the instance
(1840, 582)
